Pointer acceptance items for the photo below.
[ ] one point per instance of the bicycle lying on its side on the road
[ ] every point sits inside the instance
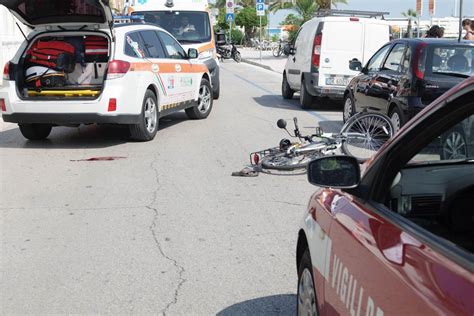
(361, 136)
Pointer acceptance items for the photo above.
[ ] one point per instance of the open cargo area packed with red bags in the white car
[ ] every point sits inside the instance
(64, 66)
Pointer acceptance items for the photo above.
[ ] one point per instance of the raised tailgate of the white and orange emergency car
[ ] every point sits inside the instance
(37, 13)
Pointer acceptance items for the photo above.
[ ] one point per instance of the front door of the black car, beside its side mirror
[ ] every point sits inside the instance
(363, 84)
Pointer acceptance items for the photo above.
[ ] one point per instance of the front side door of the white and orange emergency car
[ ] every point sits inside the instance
(181, 77)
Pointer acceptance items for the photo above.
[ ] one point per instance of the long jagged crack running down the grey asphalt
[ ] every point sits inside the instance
(154, 231)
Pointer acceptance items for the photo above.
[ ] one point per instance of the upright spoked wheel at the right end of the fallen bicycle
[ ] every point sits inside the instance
(365, 133)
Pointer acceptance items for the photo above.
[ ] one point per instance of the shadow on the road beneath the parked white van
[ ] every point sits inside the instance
(320, 105)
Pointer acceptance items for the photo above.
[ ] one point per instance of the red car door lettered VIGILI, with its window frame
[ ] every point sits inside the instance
(382, 262)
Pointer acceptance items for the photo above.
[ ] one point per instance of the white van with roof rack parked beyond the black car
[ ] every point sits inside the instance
(318, 64)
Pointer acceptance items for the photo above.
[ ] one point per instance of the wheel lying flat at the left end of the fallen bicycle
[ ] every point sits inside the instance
(287, 162)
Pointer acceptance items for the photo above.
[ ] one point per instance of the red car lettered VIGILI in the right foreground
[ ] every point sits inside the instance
(395, 236)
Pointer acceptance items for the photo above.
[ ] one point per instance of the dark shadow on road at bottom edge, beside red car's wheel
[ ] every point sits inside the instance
(283, 304)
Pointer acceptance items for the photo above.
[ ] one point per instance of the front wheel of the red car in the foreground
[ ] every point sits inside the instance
(306, 300)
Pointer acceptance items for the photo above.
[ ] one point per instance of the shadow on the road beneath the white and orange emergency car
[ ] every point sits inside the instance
(84, 136)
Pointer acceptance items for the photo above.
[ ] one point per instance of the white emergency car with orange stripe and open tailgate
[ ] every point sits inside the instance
(75, 68)
